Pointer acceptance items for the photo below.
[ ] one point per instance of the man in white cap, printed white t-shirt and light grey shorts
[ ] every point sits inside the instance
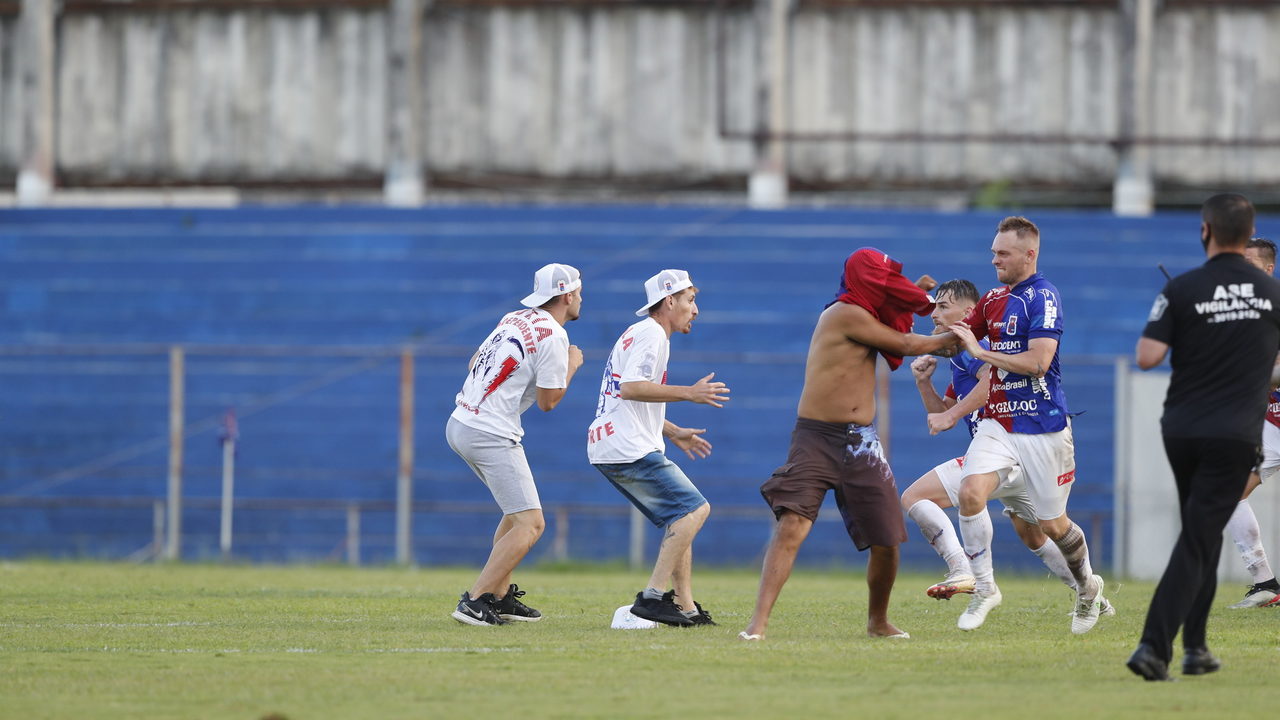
(527, 359)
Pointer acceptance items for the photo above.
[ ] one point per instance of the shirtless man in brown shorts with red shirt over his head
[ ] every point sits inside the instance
(835, 446)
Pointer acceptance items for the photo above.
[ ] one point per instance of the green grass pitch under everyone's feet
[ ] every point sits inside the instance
(196, 641)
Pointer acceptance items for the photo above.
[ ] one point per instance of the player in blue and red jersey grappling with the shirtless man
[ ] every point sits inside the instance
(1025, 422)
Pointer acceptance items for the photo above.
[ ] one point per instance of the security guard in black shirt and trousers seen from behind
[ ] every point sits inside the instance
(1220, 323)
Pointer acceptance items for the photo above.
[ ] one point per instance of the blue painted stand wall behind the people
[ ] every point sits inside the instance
(326, 427)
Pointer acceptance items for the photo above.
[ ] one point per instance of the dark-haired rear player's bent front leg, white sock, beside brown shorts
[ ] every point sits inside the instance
(925, 503)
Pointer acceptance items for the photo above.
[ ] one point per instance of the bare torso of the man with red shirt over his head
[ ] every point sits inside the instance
(840, 373)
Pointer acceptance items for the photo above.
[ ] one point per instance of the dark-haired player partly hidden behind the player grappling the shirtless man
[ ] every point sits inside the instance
(939, 489)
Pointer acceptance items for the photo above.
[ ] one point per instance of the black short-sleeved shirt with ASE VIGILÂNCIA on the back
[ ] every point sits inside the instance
(1222, 323)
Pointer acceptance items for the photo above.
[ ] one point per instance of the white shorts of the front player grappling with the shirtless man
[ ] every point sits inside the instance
(1048, 462)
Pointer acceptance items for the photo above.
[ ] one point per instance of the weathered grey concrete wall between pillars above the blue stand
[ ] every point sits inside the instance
(629, 92)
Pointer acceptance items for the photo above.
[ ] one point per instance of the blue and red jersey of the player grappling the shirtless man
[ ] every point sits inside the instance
(1011, 318)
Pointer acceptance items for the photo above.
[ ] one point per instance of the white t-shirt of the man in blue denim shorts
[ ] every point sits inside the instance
(625, 431)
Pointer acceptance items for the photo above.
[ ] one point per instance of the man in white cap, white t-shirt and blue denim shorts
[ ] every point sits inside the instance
(625, 443)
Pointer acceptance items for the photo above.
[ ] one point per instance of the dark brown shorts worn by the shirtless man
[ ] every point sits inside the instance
(849, 461)
